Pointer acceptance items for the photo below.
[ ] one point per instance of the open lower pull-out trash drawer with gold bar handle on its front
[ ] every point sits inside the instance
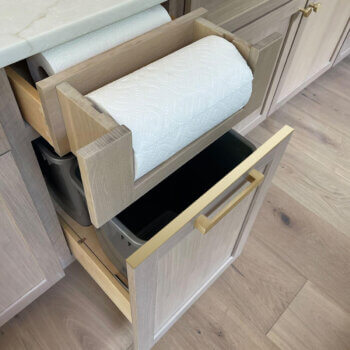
(173, 268)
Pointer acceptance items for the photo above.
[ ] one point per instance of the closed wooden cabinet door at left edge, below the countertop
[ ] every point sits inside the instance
(28, 264)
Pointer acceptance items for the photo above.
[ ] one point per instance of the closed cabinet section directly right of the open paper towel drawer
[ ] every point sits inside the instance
(252, 21)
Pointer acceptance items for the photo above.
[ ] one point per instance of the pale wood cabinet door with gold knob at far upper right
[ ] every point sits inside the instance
(313, 47)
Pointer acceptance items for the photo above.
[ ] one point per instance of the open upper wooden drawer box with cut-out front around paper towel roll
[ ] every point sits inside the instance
(103, 147)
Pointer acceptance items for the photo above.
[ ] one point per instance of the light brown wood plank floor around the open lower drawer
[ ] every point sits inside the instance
(290, 289)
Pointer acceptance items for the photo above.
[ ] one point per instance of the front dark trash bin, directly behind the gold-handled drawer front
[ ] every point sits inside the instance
(129, 230)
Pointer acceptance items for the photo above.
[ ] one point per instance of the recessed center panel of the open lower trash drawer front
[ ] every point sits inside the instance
(195, 259)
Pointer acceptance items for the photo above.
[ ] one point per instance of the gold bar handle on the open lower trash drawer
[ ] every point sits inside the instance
(204, 224)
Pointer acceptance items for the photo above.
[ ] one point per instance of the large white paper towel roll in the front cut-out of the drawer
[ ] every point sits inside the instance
(172, 101)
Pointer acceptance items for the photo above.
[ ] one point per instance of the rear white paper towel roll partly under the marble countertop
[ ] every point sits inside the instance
(70, 53)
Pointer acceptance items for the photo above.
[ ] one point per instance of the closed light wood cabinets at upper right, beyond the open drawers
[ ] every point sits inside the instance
(312, 43)
